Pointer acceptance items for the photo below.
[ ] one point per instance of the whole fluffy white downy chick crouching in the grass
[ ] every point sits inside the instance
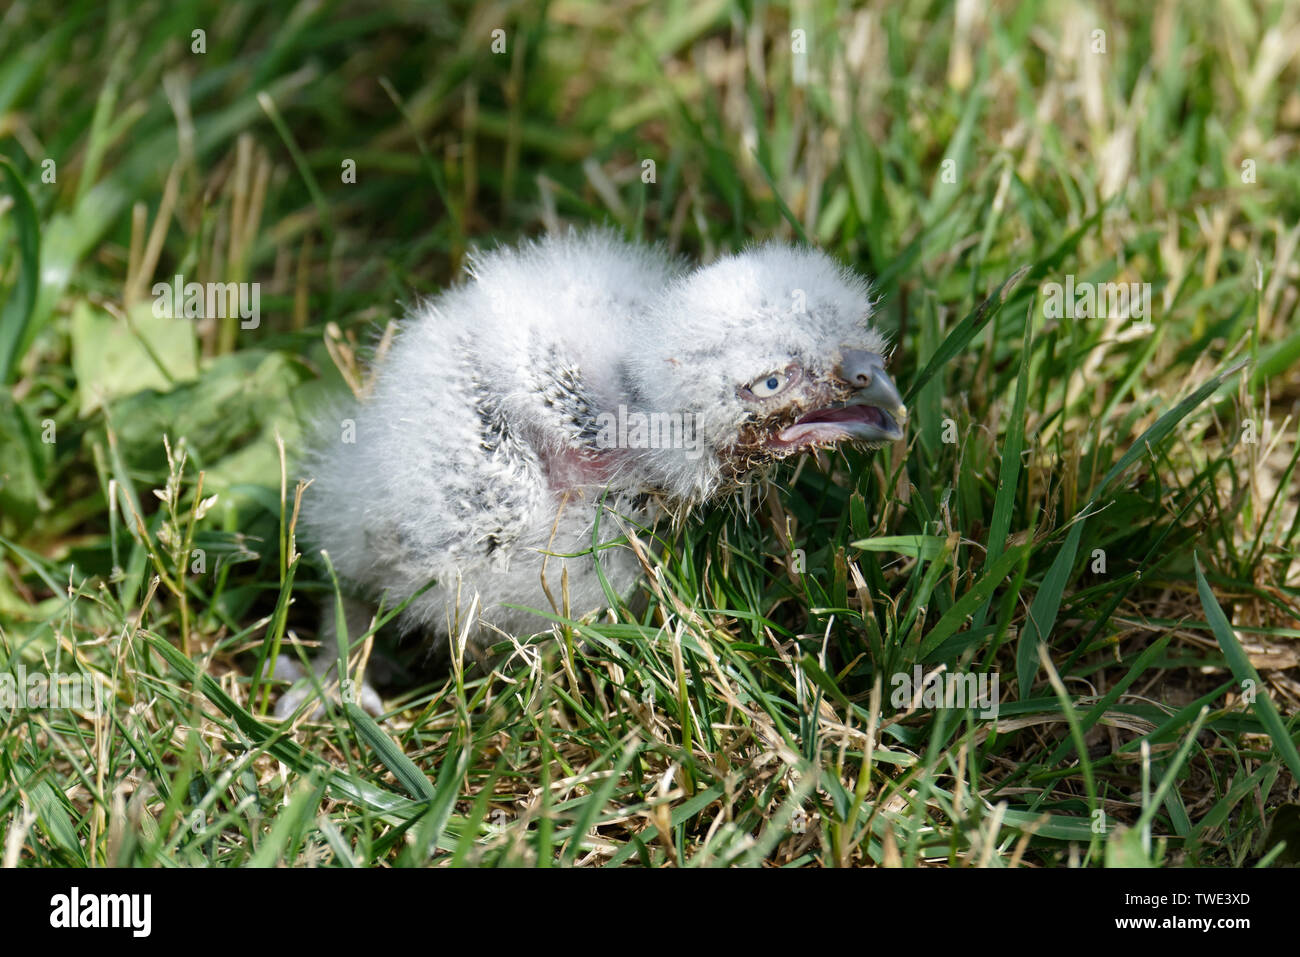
(571, 389)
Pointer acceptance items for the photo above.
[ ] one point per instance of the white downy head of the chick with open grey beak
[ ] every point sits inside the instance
(766, 354)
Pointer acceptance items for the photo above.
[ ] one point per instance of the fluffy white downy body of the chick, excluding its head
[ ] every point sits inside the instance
(467, 465)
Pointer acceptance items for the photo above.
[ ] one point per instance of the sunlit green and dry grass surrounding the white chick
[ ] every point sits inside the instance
(1100, 513)
